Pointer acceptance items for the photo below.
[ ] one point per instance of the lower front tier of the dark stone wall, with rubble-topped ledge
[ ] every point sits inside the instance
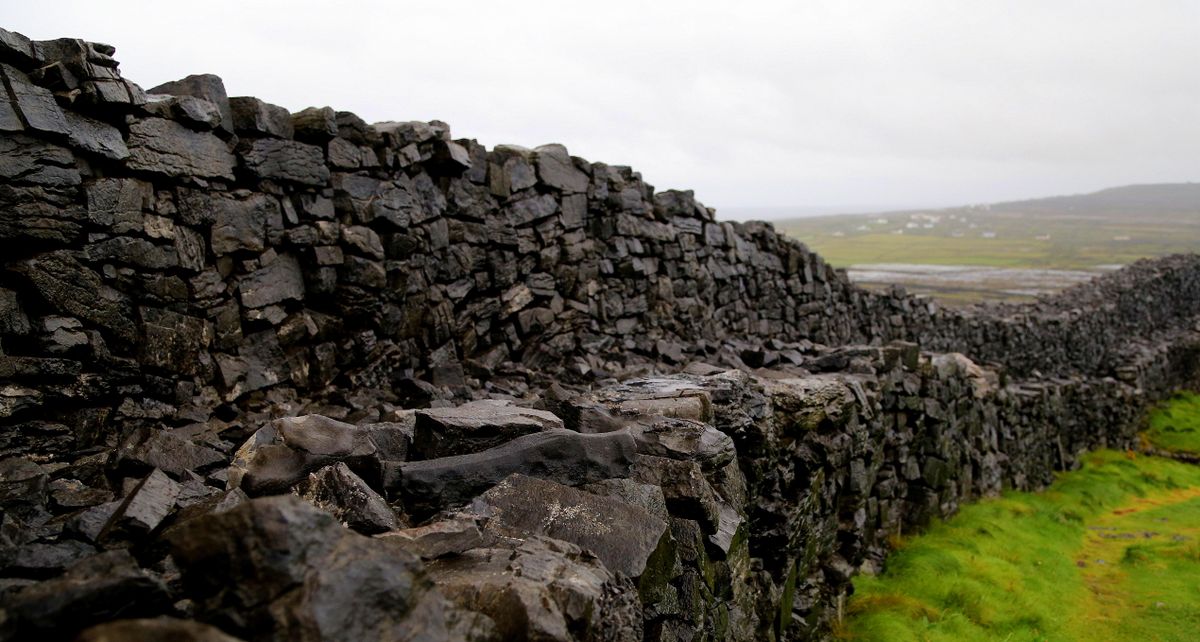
(719, 505)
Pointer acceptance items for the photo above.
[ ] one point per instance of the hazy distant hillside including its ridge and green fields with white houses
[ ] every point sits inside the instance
(1079, 232)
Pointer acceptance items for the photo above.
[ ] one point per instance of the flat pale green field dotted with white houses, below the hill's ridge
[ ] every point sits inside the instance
(1012, 242)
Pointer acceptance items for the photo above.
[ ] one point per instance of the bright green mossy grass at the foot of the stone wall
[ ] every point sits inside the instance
(1111, 553)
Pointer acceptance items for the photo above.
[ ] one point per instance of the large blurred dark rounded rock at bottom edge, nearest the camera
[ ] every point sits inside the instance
(286, 571)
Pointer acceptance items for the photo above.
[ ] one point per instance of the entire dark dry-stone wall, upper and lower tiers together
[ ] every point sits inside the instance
(292, 376)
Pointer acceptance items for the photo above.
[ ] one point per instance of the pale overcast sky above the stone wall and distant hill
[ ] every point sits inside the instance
(808, 105)
